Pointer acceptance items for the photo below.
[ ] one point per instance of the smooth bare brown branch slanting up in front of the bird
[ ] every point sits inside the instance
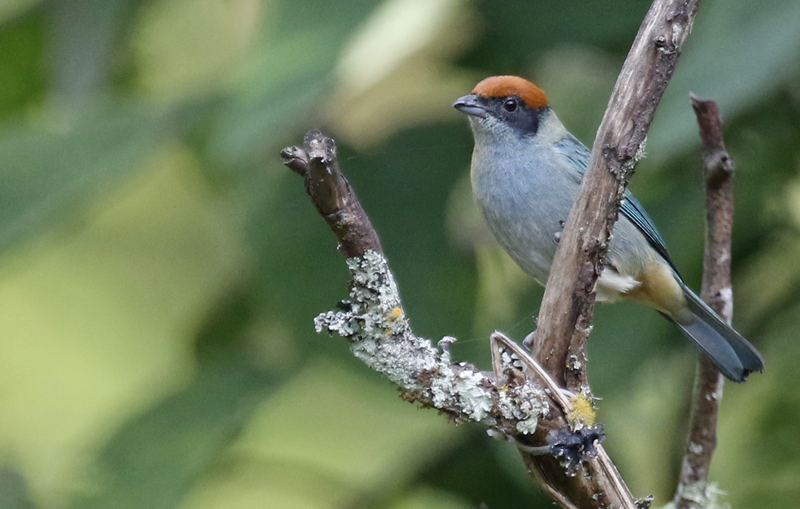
(565, 315)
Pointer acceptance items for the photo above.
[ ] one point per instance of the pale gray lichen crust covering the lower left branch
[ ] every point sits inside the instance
(374, 323)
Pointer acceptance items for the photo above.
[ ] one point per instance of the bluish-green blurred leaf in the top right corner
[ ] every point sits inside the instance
(739, 54)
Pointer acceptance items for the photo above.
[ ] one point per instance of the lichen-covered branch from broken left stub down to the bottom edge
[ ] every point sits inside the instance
(561, 449)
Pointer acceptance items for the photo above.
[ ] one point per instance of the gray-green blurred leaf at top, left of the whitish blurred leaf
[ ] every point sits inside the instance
(288, 71)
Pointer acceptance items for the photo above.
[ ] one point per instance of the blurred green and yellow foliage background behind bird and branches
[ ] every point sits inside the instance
(160, 269)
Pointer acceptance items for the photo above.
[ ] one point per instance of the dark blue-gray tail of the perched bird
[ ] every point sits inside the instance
(734, 356)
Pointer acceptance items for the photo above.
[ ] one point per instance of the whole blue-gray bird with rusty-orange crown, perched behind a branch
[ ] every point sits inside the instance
(526, 171)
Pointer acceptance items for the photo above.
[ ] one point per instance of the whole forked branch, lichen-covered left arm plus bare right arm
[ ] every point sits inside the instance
(507, 402)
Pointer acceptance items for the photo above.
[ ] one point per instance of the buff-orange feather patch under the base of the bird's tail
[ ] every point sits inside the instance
(660, 290)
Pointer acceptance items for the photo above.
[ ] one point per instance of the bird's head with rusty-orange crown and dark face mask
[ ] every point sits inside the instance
(504, 105)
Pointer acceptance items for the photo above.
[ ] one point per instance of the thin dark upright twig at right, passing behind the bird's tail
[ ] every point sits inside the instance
(717, 292)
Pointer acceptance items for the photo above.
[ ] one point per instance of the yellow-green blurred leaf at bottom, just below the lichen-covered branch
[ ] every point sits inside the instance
(322, 427)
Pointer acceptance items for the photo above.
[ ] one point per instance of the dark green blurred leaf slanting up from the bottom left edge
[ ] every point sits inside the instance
(153, 460)
